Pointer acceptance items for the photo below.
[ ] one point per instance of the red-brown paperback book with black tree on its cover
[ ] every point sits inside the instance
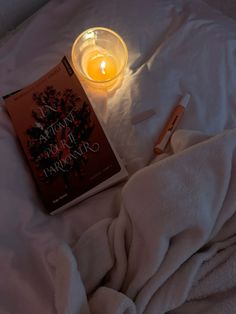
(65, 144)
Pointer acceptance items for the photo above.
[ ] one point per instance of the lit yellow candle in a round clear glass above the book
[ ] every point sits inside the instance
(99, 56)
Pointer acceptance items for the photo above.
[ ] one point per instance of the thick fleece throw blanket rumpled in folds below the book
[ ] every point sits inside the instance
(172, 247)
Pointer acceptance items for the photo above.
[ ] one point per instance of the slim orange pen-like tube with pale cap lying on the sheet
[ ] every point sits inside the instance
(171, 125)
